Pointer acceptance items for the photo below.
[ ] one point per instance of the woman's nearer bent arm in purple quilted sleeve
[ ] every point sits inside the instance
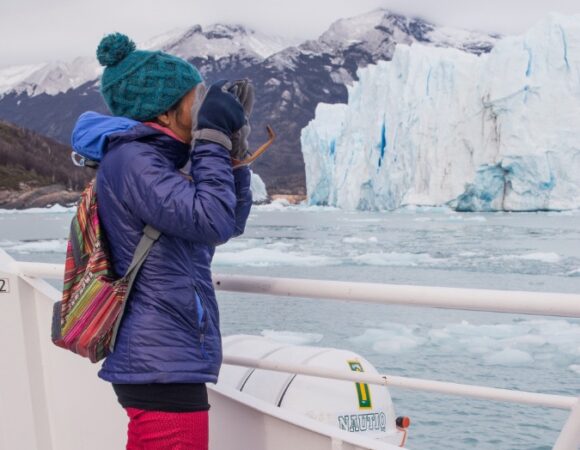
(202, 210)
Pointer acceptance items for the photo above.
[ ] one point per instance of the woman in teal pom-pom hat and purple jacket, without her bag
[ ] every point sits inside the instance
(169, 344)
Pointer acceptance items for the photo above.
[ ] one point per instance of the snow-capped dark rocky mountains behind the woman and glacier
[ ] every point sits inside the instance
(290, 80)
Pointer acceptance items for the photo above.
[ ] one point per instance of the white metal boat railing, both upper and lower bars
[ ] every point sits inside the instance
(535, 303)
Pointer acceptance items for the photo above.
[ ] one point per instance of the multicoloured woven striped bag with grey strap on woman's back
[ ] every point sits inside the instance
(87, 318)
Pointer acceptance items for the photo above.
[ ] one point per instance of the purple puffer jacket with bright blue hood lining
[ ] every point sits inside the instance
(170, 331)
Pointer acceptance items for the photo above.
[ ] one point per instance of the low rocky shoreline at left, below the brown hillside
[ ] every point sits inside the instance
(38, 197)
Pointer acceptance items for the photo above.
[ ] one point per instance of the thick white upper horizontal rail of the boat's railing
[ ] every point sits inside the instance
(515, 302)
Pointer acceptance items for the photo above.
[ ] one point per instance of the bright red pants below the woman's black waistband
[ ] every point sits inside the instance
(156, 430)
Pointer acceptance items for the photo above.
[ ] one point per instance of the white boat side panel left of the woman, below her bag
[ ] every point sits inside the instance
(50, 399)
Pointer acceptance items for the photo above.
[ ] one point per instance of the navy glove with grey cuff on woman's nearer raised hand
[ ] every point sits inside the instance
(220, 115)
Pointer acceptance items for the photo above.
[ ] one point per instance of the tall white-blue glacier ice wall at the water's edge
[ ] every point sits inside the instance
(437, 126)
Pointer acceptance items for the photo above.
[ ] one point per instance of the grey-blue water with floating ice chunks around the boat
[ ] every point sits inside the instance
(538, 252)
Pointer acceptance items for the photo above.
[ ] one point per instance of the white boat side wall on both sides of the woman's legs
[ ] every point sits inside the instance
(51, 399)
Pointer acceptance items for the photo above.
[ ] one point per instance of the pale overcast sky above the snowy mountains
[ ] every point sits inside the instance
(34, 31)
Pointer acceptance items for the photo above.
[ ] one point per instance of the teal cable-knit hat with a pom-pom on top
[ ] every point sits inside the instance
(142, 84)
